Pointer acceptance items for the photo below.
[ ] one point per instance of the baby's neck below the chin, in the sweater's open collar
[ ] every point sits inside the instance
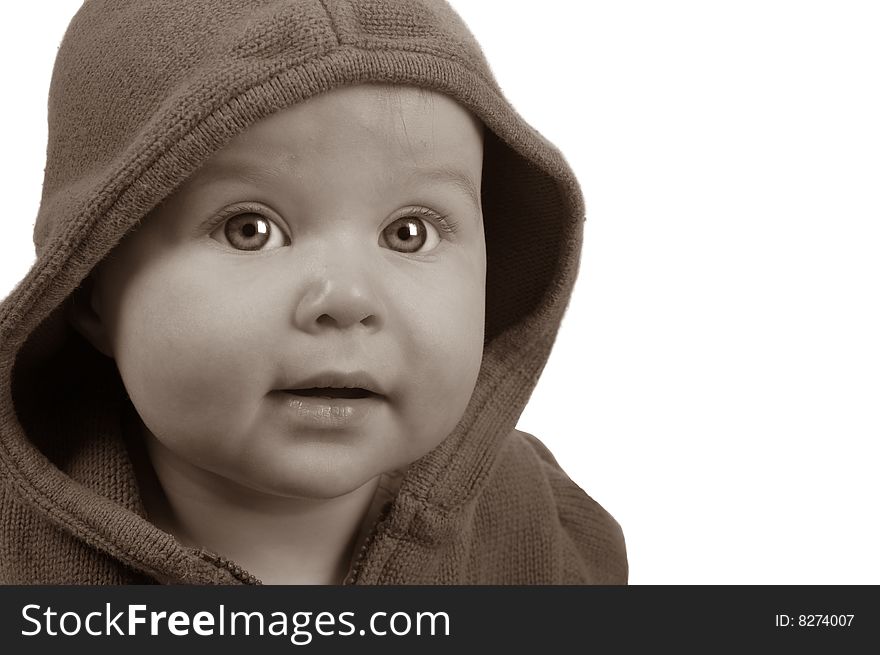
(280, 540)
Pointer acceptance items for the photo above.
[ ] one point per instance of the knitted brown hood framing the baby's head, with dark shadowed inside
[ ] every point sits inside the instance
(143, 92)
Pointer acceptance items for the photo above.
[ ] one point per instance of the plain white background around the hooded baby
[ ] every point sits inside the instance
(716, 380)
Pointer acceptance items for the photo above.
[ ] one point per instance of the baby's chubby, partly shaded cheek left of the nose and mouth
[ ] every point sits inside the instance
(189, 364)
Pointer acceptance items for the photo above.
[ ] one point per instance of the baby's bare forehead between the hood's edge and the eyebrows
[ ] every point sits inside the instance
(389, 131)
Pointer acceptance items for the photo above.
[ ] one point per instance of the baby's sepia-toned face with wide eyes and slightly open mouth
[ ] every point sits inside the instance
(307, 310)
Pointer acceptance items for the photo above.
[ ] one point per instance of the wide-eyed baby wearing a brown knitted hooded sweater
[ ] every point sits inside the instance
(299, 268)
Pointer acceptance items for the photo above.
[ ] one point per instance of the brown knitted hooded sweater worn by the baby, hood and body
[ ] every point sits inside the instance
(143, 92)
